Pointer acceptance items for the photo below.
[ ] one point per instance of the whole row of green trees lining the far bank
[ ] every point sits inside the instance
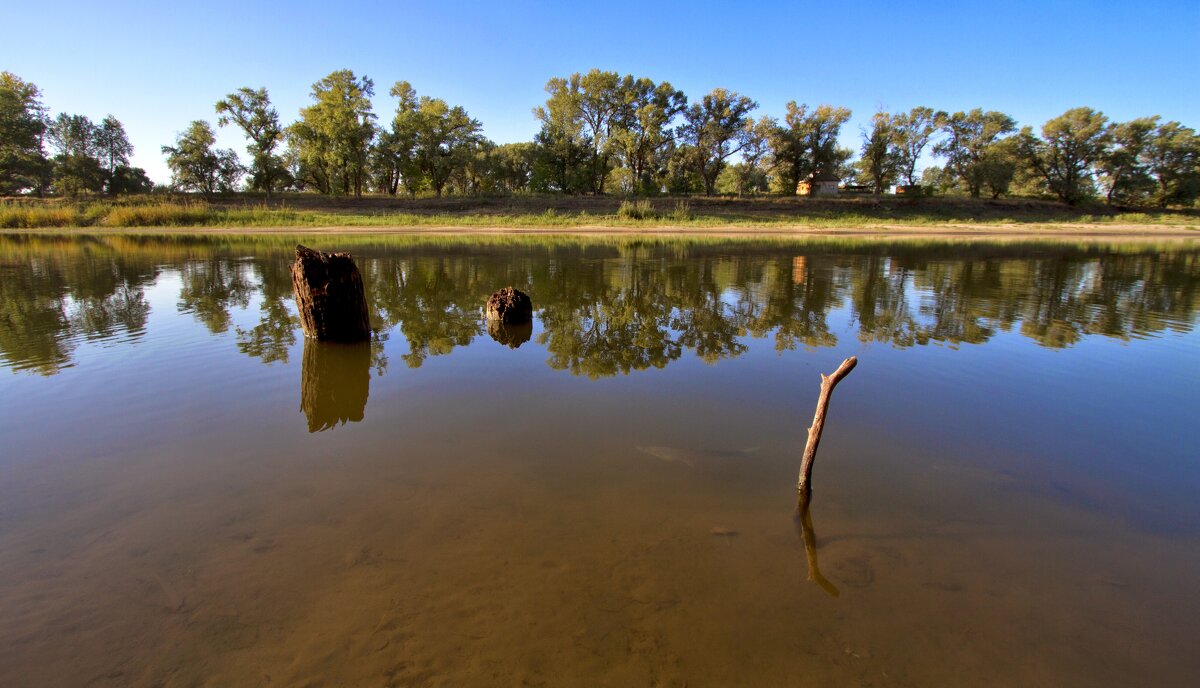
(602, 133)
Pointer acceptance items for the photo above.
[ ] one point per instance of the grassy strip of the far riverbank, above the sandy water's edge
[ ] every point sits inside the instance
(302, 211)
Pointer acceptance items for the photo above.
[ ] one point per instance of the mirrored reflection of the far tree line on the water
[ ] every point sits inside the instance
(607, 310)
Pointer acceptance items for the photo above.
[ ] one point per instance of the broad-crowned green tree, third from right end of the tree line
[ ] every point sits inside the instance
(1071, 147)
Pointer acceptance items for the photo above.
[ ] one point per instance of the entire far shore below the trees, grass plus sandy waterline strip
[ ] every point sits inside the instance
(890, 218)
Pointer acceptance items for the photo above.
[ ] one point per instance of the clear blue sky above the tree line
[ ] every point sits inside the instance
(157, 67)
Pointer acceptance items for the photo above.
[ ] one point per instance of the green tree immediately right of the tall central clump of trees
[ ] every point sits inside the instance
(716, 128)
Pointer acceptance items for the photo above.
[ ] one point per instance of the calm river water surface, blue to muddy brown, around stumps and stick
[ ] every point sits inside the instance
(191, 494)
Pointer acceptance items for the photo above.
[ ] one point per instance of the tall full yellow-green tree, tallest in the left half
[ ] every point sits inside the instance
(332, 142)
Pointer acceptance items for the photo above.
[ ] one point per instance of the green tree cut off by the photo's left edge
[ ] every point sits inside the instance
(23, 121)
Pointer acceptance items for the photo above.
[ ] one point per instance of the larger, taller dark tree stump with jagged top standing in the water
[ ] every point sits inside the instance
(329, 296)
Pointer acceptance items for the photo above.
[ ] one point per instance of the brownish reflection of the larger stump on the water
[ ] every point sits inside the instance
(335, 382)
